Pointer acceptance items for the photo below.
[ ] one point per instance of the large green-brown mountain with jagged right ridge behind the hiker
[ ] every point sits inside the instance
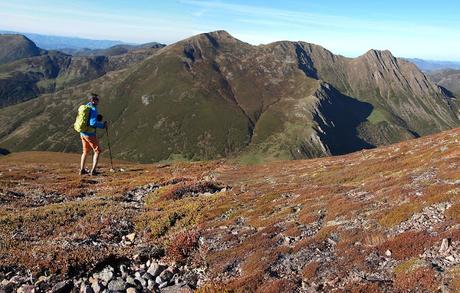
(212, 95)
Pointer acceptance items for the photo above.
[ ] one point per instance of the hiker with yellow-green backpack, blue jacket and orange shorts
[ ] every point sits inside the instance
(88, 120)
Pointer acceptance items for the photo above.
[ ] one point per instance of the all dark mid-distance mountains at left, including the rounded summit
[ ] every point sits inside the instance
(27, 71)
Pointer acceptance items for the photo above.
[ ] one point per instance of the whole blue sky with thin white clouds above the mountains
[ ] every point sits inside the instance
(424, 29)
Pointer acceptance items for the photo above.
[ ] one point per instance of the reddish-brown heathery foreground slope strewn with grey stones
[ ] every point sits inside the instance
(382, 220)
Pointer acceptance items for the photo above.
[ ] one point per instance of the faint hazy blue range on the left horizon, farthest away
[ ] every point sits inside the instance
(50, 42)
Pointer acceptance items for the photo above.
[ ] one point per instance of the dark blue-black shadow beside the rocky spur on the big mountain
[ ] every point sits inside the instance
(339, 116)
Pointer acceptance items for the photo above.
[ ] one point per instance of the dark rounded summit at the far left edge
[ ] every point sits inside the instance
(15, 47)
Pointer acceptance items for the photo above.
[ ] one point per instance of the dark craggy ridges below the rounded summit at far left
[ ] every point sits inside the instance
(27, 78)
